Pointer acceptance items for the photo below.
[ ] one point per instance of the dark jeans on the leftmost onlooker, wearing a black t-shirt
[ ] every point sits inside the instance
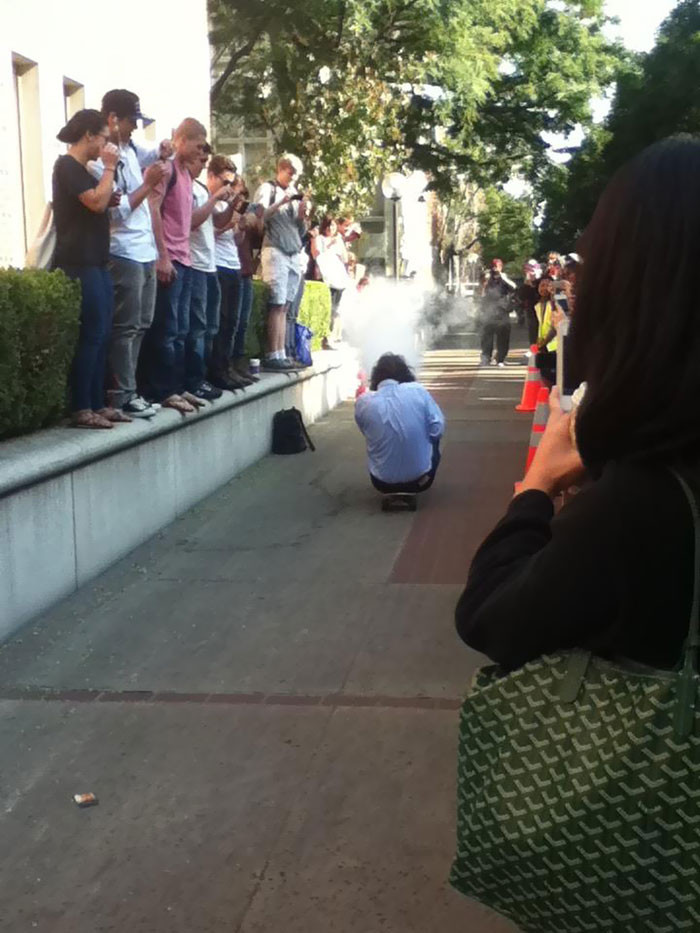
(90, 360)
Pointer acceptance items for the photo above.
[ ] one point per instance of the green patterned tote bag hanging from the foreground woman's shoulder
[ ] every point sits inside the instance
(579, 791)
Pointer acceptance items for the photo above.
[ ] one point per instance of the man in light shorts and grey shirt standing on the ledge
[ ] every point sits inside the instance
(285, 225)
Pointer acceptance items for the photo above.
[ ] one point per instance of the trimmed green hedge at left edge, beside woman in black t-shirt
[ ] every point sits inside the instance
(39, 323)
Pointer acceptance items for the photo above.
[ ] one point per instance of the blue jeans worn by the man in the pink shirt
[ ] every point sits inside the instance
(171, 325)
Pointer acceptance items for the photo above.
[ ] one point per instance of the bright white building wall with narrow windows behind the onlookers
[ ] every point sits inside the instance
(56, 58)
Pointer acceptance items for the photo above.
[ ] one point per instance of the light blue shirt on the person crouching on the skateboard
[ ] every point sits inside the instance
(399, 421)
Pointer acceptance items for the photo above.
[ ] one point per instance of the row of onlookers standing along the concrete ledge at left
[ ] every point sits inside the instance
(165, 243)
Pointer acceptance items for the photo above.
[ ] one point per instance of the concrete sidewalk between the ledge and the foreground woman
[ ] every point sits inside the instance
(264, 698)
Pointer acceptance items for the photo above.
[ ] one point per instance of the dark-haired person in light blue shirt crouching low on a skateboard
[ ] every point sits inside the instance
(402, 425)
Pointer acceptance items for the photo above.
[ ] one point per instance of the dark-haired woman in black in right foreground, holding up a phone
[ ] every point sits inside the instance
(612, 571)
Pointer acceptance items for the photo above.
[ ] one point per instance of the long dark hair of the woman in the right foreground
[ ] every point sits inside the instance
(635, 336)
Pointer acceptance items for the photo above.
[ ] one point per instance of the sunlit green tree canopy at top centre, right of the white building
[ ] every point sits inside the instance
(458, 88)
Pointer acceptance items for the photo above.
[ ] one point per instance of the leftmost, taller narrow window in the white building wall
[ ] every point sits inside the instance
(26, 81)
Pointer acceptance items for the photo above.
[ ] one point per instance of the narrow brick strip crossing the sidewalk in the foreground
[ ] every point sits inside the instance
(345, 700)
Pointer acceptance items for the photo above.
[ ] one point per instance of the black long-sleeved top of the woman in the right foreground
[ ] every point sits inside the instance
(612, 572)
